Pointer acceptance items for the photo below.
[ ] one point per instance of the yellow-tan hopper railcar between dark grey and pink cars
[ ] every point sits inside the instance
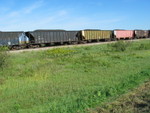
(96, 34)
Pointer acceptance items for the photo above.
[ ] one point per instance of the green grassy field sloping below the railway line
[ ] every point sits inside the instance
(69, 80)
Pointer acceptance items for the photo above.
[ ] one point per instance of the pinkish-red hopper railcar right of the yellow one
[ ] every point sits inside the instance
(124, 34)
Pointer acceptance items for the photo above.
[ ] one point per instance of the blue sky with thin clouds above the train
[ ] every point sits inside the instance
(74, 14)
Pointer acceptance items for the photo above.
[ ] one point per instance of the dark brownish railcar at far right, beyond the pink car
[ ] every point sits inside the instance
(141, 33)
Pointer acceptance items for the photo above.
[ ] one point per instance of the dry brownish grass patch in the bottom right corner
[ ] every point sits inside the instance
(137, 101)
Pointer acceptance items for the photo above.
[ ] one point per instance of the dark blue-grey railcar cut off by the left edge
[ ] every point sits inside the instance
(10, 38)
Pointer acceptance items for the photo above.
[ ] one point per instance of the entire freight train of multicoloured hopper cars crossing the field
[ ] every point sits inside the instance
(39, 38)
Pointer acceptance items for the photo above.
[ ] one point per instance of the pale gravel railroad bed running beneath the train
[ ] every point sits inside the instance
(66, 46)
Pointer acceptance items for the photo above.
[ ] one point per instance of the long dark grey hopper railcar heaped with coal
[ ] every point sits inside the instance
(52, 36)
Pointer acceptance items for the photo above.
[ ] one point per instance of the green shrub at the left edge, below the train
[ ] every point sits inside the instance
(3, 56)
